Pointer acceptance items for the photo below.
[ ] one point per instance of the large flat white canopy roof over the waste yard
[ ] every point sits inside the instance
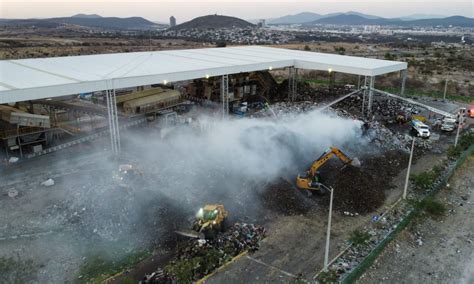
(30, 79)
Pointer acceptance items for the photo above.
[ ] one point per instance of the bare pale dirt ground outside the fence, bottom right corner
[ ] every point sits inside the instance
(445, 253)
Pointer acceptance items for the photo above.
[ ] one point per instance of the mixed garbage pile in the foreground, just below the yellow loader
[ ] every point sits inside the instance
(198, 257)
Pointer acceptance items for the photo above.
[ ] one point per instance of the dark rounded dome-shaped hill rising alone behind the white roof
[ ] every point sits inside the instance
(213, 22)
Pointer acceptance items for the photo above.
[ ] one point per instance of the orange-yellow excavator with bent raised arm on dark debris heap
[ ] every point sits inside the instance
(311, 180)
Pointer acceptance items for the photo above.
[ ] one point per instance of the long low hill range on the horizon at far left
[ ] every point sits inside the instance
(132, 23)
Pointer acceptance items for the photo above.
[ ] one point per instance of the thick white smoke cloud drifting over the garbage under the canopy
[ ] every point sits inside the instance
(217, 156)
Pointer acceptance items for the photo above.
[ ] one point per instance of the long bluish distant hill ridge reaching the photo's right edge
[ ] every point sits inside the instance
(359, 20)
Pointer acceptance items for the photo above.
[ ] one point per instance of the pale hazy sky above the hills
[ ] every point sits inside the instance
(161, 10)
